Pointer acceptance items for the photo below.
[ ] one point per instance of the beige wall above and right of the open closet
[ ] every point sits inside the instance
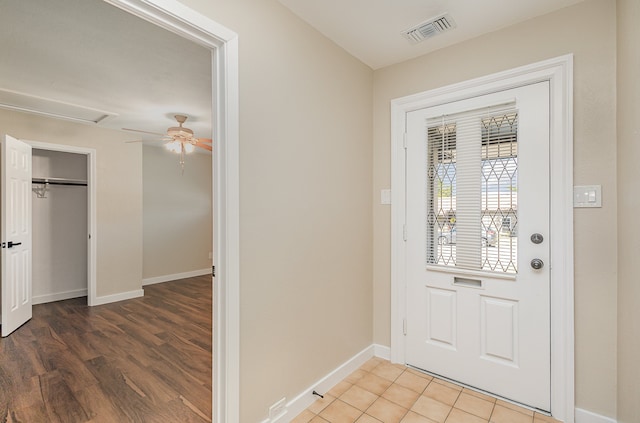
(119, 193)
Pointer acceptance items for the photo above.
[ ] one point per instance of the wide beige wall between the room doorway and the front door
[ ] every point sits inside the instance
(305, 202)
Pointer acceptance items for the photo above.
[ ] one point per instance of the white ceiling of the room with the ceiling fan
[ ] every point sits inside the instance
(93, 55)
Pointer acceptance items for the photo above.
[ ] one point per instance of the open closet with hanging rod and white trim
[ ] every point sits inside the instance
(64, 217)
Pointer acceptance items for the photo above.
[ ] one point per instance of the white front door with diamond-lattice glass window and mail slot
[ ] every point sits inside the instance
(478, 305)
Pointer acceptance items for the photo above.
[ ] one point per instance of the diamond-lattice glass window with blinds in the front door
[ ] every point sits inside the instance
(472, 198)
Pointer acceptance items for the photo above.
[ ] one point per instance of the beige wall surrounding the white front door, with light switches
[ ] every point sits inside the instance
(589, 31)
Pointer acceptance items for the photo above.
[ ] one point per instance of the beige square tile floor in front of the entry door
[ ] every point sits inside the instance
(389, 393)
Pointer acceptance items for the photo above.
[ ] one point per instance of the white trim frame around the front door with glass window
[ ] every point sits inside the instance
(559, 72)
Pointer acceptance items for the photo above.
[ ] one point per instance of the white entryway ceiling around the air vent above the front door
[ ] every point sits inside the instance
(371, 29)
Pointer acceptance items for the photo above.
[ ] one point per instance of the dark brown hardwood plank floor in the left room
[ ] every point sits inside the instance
(141, 360)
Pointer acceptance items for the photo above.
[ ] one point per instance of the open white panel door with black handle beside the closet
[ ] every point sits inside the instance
(15, 232)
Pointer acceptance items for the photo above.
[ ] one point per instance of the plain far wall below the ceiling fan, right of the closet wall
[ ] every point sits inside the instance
(177, 219)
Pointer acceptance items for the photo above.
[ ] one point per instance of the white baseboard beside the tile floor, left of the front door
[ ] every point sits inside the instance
(306, 397)
